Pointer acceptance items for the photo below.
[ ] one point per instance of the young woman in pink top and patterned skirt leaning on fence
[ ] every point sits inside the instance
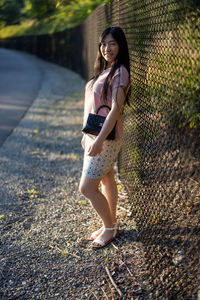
(108, 87)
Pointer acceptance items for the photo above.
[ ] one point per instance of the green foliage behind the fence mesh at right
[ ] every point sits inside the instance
(179, 103)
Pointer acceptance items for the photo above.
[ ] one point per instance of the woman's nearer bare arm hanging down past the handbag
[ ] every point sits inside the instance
(118, 97)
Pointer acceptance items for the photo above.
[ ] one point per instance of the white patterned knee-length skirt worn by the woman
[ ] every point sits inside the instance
(98, 166)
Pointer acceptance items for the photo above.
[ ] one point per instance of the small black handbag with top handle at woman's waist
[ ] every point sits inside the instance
(95, 123)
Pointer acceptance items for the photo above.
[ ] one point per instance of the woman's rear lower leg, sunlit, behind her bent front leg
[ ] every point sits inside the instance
(109, 190)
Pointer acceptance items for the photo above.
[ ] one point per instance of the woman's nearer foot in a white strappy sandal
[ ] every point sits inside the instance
(103, 239)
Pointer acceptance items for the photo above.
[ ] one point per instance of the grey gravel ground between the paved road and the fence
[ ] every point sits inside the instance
(45, 221)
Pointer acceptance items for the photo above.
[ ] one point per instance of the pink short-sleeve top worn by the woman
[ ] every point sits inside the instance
(93, 91)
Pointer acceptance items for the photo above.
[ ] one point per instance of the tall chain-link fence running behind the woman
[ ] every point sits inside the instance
(160, 161)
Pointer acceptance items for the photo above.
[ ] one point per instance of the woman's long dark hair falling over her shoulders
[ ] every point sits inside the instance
(121, 59)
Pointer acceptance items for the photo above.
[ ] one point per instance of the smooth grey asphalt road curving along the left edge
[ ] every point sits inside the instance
(20, 80)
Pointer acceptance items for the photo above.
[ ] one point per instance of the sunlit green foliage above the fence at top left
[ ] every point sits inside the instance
(49, 16)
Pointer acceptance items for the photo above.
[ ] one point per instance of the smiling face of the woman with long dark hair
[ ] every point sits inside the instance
(109, 49)
